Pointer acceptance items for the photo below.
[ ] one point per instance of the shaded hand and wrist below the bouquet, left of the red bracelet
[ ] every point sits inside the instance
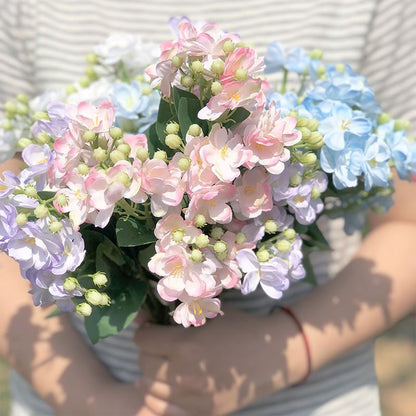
(216, 369)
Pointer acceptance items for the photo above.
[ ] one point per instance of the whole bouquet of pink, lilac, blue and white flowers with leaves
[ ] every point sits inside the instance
(163, 178)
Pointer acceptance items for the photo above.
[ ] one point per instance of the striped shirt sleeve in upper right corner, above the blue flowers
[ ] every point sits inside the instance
(390, 58)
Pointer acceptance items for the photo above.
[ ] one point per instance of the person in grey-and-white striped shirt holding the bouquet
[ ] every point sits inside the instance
(244, 362)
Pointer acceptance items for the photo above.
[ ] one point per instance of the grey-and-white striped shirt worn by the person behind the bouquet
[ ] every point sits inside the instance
(43, 44)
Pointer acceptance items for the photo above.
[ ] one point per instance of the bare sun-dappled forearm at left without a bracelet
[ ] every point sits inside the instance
(48, 352)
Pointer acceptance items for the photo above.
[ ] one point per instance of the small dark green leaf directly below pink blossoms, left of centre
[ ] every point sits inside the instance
(132, 232)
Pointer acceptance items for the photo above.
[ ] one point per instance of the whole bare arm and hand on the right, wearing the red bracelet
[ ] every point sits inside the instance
(237, 359)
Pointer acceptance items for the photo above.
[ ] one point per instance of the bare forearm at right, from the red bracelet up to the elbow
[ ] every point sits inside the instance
(374, 291)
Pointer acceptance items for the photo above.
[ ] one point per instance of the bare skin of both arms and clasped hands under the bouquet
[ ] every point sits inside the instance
(232, 361)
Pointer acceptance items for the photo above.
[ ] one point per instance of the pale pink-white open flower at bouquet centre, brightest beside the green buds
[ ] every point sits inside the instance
(225, 153)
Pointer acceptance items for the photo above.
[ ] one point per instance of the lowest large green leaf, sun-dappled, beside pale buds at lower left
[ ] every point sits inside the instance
(110, 320)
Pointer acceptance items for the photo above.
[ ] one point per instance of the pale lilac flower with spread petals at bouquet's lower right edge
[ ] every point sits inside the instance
(272, 275)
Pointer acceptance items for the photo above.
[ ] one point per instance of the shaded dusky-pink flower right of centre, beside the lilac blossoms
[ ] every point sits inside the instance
(253, 194)
